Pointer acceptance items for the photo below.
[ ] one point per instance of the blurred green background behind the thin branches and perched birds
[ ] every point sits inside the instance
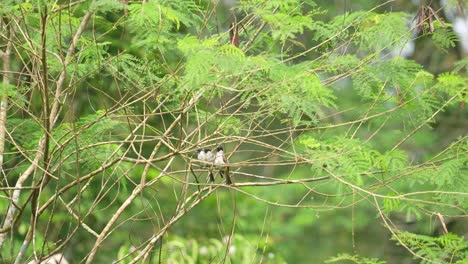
(297, 223)
